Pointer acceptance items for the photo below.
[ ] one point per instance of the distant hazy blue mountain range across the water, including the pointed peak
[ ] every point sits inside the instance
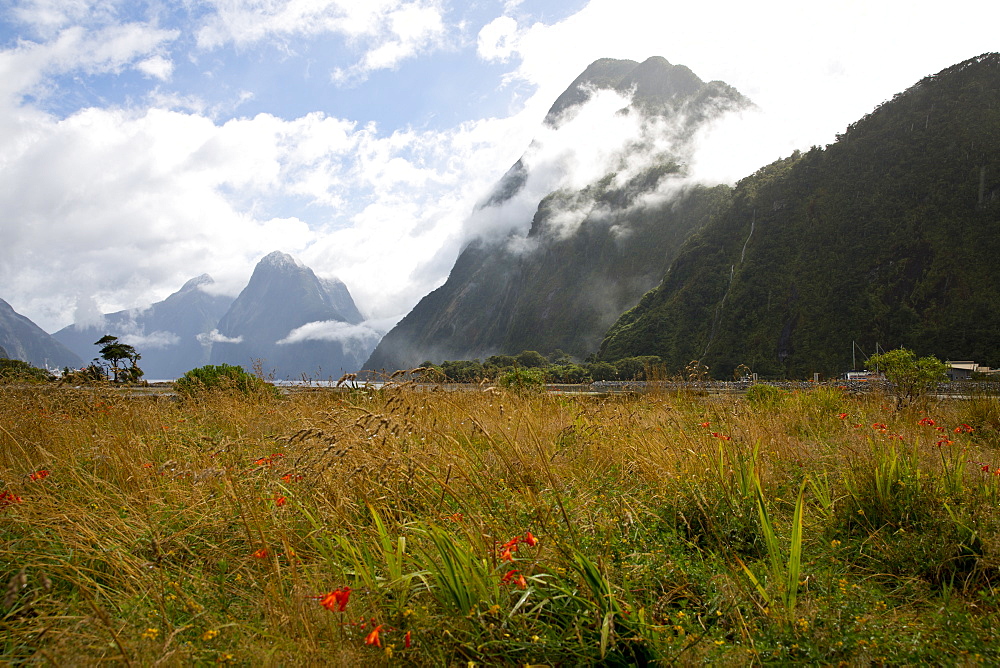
(287, 321)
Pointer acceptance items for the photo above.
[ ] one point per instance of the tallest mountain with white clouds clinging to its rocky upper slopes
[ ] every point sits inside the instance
(581, 226)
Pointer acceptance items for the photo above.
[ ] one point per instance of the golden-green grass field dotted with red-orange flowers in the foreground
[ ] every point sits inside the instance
(485, 527)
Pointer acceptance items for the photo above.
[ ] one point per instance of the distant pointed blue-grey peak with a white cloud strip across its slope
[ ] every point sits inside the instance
(293, 322)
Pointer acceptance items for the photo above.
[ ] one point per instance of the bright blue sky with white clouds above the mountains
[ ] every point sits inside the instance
(145, 142)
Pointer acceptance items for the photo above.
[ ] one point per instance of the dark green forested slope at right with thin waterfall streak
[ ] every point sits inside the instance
(887, 236)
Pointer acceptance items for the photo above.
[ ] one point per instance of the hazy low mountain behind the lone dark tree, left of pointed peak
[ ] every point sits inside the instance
(167, 334)
